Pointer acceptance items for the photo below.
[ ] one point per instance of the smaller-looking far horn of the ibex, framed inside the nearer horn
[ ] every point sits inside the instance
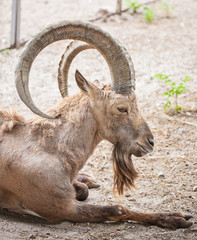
(70, 53)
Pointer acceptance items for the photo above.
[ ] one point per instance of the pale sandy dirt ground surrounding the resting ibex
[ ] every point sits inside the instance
(168, 176)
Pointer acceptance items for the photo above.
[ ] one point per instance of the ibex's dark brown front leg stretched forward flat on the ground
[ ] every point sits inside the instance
(95, 213)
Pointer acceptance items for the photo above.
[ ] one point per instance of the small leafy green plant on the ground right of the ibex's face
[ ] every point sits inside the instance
(176, 89)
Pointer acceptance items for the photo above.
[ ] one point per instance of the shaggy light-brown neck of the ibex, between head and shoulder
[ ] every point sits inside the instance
(73, 136)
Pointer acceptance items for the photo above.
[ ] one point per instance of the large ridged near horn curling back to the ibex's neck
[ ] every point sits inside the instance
(117, 57)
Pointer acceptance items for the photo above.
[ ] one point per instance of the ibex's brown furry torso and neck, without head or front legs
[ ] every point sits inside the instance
(45, 156)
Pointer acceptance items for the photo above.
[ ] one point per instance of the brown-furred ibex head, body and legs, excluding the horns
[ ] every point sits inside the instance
(40, 159)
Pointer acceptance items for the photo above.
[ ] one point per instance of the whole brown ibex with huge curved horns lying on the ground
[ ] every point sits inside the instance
(40, 159)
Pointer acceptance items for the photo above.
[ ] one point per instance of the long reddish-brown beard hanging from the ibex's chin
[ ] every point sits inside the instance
(124, 171)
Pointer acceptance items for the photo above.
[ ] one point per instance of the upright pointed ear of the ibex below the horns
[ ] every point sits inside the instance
(86, 86)
